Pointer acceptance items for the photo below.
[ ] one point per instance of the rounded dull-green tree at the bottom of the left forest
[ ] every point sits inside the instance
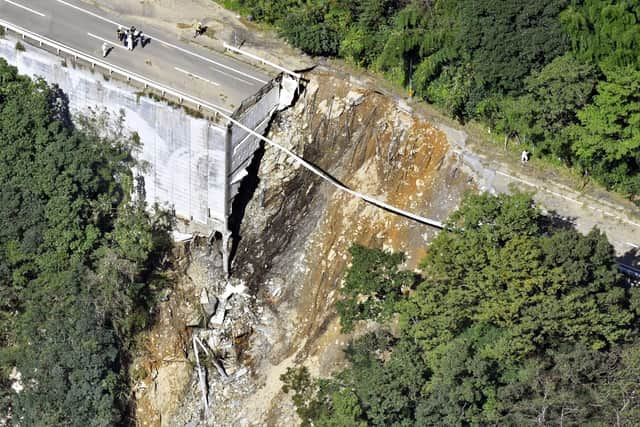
(68, 360)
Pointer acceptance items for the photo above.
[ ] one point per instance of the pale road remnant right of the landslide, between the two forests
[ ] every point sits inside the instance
(499, 170)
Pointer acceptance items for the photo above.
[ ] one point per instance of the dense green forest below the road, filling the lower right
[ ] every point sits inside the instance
(516, 319)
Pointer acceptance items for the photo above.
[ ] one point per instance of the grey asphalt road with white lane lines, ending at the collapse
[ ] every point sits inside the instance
(188, 68)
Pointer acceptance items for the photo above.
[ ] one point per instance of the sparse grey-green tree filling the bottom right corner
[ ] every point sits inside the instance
(578, 386)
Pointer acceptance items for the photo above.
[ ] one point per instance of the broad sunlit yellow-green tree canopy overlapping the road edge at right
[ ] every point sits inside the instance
(505, 275)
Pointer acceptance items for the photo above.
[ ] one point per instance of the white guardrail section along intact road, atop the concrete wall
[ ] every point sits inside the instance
(148, 83)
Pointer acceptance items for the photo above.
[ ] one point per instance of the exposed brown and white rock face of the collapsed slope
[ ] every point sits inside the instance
(292, 249)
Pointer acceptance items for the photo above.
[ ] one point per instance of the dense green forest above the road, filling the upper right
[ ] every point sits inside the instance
(560, 76)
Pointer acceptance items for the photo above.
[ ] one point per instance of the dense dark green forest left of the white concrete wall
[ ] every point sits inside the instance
(77, 259)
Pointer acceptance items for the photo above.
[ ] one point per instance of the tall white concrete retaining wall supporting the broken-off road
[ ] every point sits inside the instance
(188, 169)
